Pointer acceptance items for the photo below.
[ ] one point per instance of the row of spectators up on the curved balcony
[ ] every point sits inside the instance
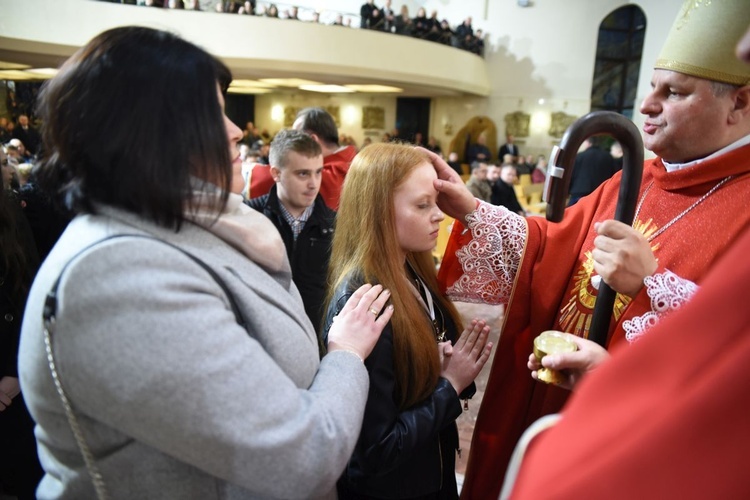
(371, 17)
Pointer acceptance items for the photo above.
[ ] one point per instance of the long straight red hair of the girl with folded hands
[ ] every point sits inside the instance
(365, 243)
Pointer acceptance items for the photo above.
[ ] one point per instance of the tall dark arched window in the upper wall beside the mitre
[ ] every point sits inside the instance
(618, 60)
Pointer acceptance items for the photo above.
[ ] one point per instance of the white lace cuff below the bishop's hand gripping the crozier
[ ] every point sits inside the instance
(668, 292)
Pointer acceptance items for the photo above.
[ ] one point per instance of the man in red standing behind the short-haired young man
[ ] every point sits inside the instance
(320, 125)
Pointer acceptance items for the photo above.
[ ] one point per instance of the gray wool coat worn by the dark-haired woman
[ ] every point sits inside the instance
(176, 400)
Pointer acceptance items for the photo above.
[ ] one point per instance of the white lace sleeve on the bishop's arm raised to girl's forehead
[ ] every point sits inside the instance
(490, 261)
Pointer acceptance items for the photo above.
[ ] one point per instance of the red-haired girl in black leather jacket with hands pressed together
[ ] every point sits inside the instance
(386, 229)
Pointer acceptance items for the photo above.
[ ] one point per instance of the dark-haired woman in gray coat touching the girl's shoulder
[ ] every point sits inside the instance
(181, 361)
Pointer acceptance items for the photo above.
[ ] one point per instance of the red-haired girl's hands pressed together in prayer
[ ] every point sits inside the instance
(462, 362)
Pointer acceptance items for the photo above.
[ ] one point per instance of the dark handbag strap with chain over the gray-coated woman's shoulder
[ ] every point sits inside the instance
(49, 317)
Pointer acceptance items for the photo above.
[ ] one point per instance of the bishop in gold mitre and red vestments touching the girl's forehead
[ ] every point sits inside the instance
(691, 206)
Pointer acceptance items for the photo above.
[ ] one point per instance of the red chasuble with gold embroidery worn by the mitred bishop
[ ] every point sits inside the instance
(552, 289)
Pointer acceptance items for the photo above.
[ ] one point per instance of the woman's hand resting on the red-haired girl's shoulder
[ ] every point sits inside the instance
(361, 321)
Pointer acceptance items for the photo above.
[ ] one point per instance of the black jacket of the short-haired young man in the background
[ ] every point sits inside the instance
(309, 255)
